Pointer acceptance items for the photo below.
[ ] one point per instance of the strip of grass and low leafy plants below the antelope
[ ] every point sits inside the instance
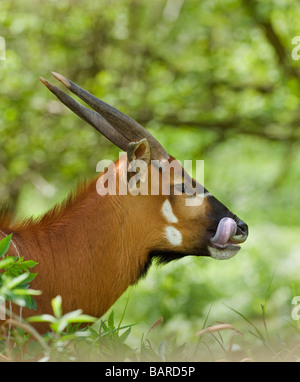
(108, 340)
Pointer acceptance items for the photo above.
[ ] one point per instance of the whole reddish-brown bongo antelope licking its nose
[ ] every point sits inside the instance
(91, 247)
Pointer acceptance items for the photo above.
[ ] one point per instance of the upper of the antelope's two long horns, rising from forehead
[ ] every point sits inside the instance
(131, 130)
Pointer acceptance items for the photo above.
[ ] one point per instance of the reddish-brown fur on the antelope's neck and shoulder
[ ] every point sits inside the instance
(90, 248)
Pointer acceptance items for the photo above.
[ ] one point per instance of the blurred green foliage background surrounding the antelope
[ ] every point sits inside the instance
(212, 80)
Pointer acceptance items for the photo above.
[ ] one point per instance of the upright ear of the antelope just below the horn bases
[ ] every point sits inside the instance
(139, 157)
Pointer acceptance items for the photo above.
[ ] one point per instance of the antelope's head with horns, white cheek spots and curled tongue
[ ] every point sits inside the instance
(184, 218)
